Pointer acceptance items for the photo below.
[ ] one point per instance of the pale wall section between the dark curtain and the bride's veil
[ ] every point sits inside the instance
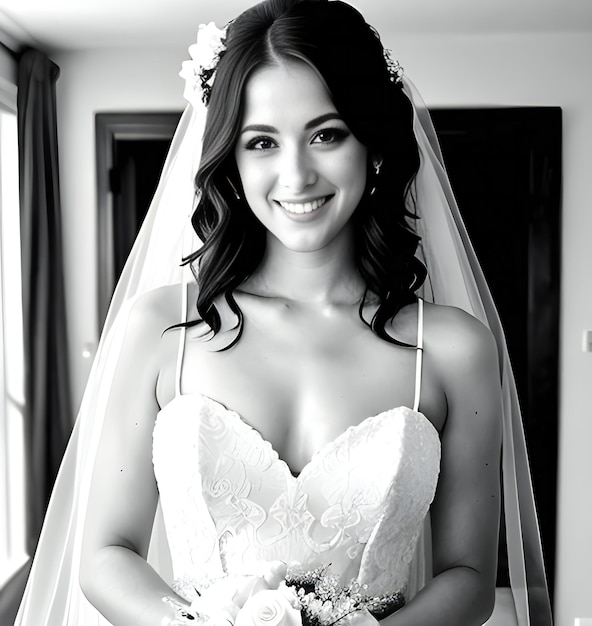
(91, 82)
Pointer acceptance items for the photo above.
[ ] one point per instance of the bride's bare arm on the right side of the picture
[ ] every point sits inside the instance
(466, 509)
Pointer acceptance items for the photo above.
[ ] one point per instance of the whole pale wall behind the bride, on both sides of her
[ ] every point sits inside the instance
(458, 70)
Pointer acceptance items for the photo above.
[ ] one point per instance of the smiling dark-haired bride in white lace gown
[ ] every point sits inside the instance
(248, 417)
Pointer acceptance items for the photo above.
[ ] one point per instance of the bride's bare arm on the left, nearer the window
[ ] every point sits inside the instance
(114, 574)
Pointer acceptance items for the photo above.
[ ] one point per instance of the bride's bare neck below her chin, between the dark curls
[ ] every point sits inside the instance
(322, 276)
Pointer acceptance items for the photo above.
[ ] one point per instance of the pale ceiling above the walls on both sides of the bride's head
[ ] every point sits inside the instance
(79, 24)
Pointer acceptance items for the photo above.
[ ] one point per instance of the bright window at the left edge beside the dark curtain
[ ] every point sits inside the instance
(12, 458)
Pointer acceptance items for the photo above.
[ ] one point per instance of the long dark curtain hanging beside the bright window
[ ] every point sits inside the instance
(48, 418)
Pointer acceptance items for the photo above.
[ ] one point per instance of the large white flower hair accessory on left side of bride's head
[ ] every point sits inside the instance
(200, 71)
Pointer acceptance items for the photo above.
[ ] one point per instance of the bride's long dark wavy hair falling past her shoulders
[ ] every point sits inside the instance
(333, 38)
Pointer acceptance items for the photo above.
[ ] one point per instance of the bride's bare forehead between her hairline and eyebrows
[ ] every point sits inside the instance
(288, 90)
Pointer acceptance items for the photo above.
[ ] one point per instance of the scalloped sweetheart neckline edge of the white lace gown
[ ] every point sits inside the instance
(296, 475)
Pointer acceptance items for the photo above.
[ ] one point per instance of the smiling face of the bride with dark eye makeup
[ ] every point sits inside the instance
(302, 170)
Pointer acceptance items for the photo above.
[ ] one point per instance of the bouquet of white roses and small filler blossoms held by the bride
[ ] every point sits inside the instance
(282, 595)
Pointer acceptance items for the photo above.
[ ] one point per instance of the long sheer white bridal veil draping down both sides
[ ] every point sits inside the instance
(53, 596)
